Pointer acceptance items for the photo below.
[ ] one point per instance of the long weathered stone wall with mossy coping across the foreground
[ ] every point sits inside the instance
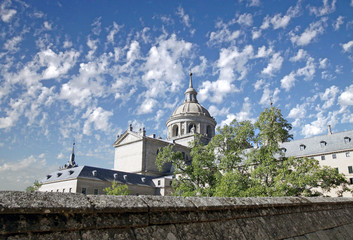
(76, 216)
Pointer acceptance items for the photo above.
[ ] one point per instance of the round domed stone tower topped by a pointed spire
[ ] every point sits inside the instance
(189, 119)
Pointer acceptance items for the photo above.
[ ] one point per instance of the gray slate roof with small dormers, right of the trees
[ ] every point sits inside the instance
(335, 142)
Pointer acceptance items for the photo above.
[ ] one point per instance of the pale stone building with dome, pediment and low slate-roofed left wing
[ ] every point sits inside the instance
(135, 155)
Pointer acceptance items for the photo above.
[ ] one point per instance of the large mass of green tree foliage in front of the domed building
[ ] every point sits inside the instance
(230, 166)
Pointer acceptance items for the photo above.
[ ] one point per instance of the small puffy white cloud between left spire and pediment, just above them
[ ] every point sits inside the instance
(99, 118)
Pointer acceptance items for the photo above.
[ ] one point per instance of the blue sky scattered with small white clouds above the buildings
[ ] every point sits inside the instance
(84, 70)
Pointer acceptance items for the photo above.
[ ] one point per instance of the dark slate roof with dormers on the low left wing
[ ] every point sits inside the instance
(97, 173)
